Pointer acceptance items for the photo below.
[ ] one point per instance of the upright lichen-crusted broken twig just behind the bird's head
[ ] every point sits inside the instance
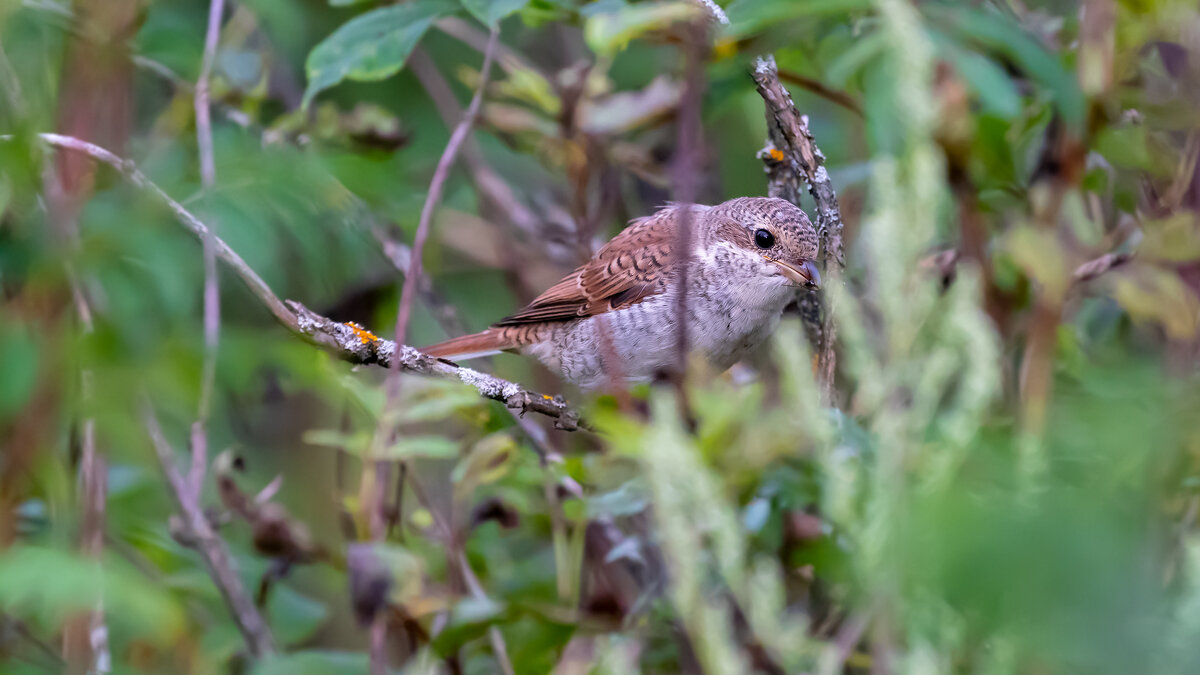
(793, 159)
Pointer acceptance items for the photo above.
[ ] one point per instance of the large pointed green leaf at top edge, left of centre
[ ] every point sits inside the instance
(374, 46)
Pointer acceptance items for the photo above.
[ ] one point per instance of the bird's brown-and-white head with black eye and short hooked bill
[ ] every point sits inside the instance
(767, 238)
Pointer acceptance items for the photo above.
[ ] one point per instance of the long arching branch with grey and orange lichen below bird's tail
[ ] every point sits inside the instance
(347, 342)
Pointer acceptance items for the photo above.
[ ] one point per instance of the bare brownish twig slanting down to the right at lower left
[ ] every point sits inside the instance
(211, 547)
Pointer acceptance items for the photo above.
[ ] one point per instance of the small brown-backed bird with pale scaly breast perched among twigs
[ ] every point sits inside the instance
(614, 321)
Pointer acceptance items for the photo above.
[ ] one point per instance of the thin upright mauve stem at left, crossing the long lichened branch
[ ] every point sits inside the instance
(200, 441)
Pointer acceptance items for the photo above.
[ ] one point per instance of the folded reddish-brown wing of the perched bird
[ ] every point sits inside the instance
(631, 268)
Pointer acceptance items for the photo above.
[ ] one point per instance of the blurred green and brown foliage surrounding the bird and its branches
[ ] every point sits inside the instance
(1005, 477)
